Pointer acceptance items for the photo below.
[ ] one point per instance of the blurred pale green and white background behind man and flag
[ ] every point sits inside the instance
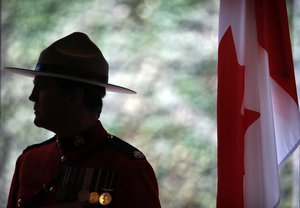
(167, 51)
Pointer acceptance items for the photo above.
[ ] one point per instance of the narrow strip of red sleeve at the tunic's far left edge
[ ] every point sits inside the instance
(14, 188)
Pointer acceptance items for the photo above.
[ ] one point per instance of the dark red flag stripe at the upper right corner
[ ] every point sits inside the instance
(273, 35)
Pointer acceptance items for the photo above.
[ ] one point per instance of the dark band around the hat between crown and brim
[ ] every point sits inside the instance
(71, 72)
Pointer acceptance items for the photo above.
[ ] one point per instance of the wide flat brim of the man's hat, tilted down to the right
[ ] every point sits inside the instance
(107, 86)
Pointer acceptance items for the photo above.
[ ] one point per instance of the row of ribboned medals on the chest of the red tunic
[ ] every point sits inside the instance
(87, 185)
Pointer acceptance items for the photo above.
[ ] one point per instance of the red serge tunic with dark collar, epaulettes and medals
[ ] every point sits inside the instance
(91, 169)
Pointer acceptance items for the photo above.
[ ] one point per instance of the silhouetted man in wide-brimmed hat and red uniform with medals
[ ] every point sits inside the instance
(82, 165)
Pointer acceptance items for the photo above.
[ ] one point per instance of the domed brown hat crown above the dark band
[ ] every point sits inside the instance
(77, 52)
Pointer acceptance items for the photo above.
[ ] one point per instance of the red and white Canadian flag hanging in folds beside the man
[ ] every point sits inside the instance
(258, 115)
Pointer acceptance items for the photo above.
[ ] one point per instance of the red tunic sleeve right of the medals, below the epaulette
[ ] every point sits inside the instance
(137, 186)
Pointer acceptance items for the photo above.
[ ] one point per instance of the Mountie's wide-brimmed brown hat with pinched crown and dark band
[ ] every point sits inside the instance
(74, 57)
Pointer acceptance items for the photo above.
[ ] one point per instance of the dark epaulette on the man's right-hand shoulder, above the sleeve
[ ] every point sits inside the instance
(132, 152)
